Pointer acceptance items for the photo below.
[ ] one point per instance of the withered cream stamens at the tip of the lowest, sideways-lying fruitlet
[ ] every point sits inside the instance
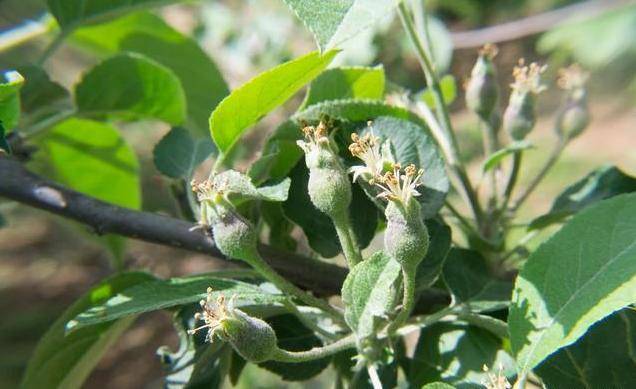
(215, 313)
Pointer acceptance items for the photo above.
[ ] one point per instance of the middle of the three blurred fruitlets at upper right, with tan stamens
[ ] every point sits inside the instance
(519, 117)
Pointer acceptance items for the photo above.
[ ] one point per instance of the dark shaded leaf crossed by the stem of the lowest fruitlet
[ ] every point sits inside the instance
(294, 336)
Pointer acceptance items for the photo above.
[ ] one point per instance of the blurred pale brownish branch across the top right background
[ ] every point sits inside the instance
(533, 24)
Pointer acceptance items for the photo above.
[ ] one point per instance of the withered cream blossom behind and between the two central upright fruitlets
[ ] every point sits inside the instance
(376, 157)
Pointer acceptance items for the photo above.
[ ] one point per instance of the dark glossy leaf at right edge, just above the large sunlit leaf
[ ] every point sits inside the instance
(601, 184)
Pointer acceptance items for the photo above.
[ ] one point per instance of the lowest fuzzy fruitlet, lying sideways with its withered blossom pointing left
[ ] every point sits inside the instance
(252, 338)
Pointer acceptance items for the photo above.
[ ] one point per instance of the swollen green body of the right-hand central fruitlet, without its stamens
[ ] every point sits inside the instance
(406, 236)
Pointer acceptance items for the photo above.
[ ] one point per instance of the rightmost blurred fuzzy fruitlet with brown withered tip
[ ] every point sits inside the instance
(574, 116)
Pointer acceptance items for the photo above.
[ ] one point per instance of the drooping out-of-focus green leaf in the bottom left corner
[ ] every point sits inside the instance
(65, 360)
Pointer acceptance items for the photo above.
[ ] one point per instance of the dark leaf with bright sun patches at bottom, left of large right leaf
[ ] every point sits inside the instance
(455, 353)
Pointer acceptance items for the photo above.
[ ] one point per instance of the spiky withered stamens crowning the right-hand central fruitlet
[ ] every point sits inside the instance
(400, 185)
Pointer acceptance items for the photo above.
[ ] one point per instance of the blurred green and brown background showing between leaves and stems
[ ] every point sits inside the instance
(45, 263)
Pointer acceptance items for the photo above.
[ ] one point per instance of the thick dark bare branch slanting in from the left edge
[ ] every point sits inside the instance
(18, 184)
